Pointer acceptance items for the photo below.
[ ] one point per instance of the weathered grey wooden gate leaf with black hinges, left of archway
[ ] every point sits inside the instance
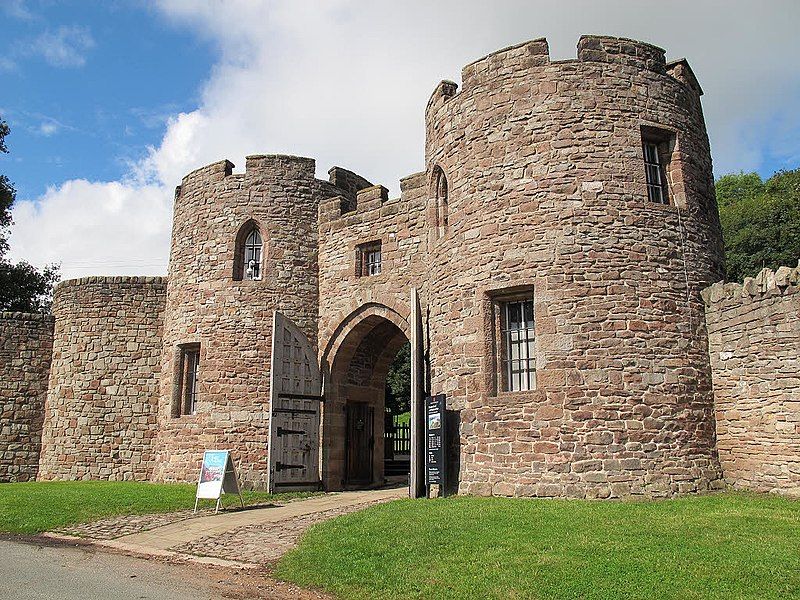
(295, 403)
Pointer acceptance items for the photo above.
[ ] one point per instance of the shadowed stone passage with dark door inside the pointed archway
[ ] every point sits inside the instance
(354, 422)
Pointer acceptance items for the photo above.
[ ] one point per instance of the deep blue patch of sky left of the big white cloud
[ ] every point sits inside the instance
(87, 86)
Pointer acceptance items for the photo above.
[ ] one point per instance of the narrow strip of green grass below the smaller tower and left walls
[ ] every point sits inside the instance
(41, 506)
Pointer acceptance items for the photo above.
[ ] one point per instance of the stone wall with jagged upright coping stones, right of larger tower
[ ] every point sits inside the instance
(754, 343)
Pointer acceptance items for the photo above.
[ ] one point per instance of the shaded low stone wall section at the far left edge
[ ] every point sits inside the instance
(26, 347)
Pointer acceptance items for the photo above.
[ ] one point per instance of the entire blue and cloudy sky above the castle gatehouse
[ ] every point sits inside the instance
(112, 102)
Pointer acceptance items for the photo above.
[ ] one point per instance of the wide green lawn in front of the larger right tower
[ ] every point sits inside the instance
(717, 546)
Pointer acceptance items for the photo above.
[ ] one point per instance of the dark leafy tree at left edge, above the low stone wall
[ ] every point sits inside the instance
(22, 287)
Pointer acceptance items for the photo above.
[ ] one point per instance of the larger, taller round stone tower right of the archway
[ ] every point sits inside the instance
(547, 197)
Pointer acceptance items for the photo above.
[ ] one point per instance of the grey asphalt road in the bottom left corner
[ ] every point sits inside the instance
(34, 572)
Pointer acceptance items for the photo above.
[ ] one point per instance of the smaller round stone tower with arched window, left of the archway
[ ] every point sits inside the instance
(231, 319)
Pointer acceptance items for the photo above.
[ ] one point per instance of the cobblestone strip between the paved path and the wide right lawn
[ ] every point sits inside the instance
(263, 543)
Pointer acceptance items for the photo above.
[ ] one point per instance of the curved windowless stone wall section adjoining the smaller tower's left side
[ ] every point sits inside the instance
(101, 403)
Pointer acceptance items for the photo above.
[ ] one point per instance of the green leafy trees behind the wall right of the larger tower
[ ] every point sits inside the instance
(760, 221)
